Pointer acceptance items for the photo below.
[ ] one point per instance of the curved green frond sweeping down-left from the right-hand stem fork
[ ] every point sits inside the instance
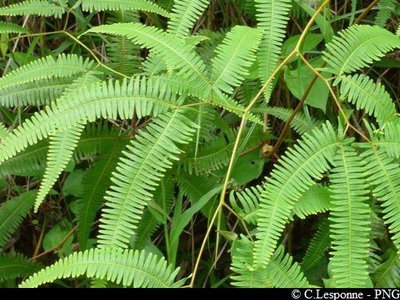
(297, 170)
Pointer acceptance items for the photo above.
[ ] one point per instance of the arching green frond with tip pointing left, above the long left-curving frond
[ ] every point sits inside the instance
(177, 54)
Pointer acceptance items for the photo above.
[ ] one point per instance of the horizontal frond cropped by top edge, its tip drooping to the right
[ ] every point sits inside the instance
(121, 5)
